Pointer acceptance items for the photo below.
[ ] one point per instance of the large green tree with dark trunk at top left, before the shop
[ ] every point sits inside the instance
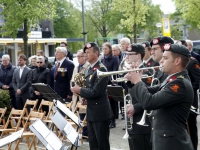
(18, 13)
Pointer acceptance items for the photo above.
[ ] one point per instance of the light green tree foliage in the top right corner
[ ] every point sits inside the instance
(189, 10)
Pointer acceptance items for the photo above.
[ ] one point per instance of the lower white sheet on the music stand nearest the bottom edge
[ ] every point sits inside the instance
(54, 141)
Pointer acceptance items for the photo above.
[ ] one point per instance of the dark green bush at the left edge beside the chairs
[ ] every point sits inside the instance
(5, 101)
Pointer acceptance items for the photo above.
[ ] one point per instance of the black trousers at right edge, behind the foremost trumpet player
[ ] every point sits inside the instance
(192, 123)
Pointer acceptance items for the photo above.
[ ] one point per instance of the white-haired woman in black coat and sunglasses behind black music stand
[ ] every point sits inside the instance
(41, 74)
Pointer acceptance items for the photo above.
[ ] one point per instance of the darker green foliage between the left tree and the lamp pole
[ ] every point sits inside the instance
(68, 23)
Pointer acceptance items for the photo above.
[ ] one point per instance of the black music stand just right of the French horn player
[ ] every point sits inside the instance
(116, 92)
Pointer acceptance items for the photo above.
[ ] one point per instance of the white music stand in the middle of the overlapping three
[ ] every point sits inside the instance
(66, 128)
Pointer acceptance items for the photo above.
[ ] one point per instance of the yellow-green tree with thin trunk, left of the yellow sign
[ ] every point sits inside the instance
(133, 12)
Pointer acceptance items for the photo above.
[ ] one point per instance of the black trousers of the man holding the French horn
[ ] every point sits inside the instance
(98, 135)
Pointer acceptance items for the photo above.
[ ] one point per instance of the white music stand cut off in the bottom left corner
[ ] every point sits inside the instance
(11, 138)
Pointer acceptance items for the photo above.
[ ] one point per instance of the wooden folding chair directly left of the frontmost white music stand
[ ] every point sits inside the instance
(28, 134)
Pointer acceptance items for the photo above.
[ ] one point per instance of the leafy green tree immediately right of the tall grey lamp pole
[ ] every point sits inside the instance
(102, 17)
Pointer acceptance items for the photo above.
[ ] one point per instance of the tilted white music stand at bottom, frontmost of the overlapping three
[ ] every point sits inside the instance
(46, 136)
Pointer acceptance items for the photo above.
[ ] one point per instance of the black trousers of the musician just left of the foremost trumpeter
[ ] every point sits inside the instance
(139, 142)
